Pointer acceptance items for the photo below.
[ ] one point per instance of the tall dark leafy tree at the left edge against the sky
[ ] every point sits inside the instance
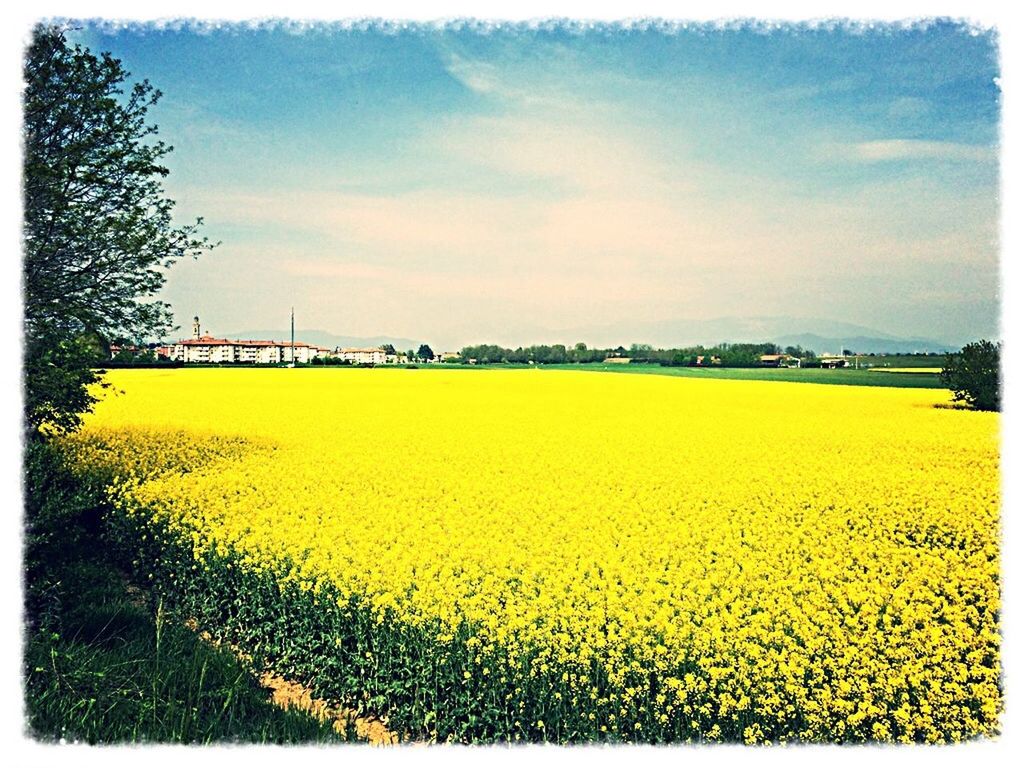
(99, 235)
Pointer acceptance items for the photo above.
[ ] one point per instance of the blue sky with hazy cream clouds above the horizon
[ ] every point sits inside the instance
(463, 185)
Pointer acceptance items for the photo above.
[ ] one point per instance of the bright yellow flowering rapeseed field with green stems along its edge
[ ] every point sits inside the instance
(550, 556)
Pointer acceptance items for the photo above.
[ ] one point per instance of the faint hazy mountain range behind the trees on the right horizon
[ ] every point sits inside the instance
(820, 334)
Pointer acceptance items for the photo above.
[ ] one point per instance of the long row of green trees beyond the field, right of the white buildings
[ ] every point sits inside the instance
(732, 356)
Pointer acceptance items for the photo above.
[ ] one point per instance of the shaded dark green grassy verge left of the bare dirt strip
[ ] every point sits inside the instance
(103, 665)
